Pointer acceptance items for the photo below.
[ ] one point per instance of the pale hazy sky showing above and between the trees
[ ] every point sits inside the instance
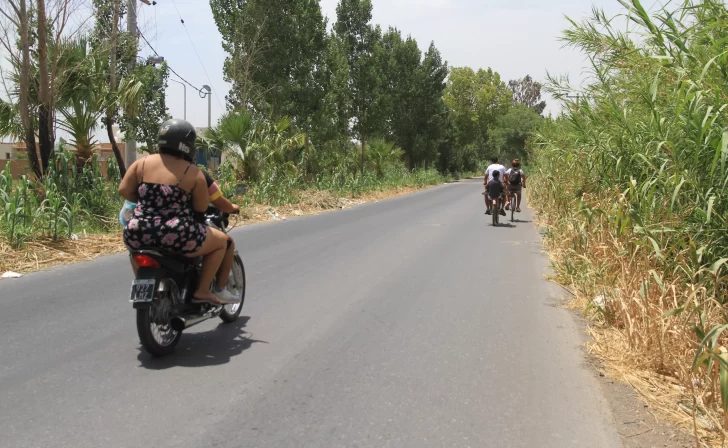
(513, 37)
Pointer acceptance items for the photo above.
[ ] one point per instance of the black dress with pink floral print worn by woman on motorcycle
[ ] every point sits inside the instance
(163, 219)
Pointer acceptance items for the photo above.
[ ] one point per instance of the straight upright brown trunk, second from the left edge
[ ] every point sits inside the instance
(45, 121)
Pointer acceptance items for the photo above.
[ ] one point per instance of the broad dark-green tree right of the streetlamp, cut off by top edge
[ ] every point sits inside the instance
(286, 70)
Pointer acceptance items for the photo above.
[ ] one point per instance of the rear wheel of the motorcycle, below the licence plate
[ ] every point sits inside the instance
(154, 322)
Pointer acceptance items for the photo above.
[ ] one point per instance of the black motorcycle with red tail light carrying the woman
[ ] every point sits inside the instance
(163, 288)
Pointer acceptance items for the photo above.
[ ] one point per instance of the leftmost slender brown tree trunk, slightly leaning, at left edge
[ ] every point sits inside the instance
(25, 115)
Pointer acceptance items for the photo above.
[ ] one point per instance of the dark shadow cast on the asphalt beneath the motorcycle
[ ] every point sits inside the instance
(209, 348)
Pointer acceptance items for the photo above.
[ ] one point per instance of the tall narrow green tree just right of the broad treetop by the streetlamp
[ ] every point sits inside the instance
(363, 44)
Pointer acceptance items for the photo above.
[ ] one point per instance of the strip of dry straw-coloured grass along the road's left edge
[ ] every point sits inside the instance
(43, 254)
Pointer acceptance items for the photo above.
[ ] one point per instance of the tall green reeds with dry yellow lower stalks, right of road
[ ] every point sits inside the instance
(631, 185)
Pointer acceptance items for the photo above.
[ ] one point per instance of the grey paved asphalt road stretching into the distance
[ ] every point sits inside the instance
(406, 323)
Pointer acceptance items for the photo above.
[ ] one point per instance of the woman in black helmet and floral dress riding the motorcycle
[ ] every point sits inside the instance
(169, 189)
